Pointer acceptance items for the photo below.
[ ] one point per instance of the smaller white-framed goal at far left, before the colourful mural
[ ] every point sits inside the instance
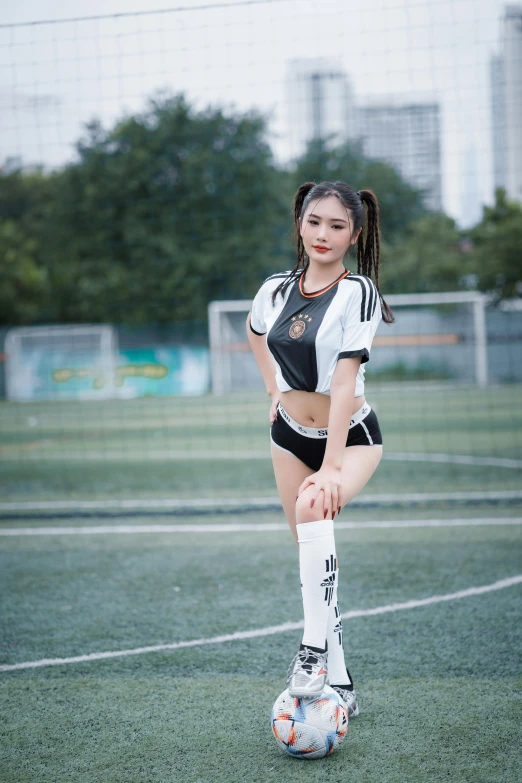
(61, 362)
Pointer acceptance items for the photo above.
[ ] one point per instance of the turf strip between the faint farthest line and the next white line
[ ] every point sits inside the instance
(226, 478)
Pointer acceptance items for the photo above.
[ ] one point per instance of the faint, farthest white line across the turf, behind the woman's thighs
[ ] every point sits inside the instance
(186, 455)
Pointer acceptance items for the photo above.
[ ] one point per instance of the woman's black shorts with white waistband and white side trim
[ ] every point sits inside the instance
(309, 443)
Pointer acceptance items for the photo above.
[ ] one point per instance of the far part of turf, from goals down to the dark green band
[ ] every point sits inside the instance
(219, 447)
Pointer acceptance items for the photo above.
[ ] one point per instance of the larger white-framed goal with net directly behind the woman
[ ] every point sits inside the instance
(453, 342)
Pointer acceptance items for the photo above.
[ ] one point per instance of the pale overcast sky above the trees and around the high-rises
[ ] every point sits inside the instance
(55, 77)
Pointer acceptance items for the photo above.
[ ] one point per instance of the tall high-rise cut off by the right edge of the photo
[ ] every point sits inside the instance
(506, 105)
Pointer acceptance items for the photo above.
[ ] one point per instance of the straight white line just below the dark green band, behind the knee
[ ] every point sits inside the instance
(260, 528)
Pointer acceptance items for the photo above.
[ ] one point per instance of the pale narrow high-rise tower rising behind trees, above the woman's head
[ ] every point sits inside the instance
(319, 103)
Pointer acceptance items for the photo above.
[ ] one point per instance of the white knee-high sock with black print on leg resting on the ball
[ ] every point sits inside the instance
(317, 567)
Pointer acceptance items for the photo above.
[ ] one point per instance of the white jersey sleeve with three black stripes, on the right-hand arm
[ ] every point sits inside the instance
(361, 319)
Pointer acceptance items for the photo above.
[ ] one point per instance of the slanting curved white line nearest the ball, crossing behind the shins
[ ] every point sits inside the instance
(270, 630)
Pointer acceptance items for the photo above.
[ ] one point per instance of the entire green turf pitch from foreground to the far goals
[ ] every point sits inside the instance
(163, 696)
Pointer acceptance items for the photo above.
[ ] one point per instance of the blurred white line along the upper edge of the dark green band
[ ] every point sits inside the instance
(245, 503)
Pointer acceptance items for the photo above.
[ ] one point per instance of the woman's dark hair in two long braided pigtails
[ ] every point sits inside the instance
(368, 251)
